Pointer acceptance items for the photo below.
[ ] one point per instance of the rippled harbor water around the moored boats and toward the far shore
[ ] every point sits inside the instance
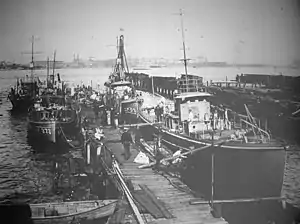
(27, 173)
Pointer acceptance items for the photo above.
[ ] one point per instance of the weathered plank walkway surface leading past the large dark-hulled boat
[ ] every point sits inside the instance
(175, 201)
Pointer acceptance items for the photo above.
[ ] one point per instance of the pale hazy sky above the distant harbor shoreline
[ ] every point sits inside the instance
(242, 31)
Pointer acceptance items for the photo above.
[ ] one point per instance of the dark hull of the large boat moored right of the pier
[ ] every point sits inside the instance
(240, 170)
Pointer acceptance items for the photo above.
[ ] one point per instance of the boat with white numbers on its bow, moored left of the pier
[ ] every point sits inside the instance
(54, 118)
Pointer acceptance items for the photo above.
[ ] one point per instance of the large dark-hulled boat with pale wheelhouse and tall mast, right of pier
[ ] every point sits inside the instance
(237, 157)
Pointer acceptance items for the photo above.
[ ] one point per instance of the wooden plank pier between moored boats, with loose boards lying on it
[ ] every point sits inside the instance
(166, 200)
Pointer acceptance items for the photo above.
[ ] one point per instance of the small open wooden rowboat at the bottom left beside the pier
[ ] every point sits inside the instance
(69, 212)
